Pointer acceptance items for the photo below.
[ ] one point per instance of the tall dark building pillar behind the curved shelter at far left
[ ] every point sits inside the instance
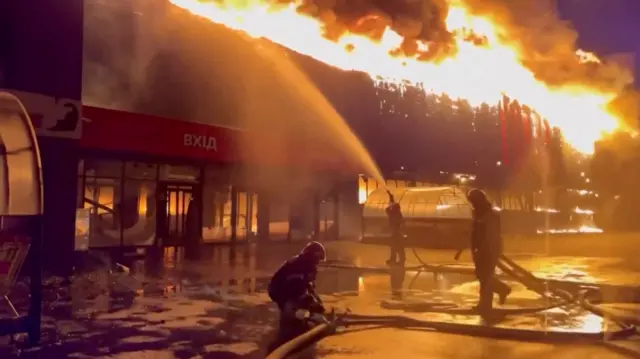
(41, 63)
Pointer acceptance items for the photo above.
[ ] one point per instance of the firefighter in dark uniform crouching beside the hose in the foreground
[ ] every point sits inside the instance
(293, 289)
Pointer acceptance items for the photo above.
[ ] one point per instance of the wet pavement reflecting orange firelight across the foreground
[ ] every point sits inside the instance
(217, 308)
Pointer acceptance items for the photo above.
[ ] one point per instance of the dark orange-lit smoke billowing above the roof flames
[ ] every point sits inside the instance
(547, 43)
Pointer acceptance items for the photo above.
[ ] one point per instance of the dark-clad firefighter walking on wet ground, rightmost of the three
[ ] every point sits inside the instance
(486, 249)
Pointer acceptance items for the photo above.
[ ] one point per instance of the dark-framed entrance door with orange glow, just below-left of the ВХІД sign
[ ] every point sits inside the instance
(173, 204)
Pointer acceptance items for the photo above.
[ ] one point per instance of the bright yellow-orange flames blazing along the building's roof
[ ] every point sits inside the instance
(478, 73)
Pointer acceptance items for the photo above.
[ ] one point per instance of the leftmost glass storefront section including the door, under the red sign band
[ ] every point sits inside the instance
(135, 203)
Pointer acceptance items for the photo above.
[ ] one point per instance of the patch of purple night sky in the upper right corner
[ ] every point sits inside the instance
(606, 26)
